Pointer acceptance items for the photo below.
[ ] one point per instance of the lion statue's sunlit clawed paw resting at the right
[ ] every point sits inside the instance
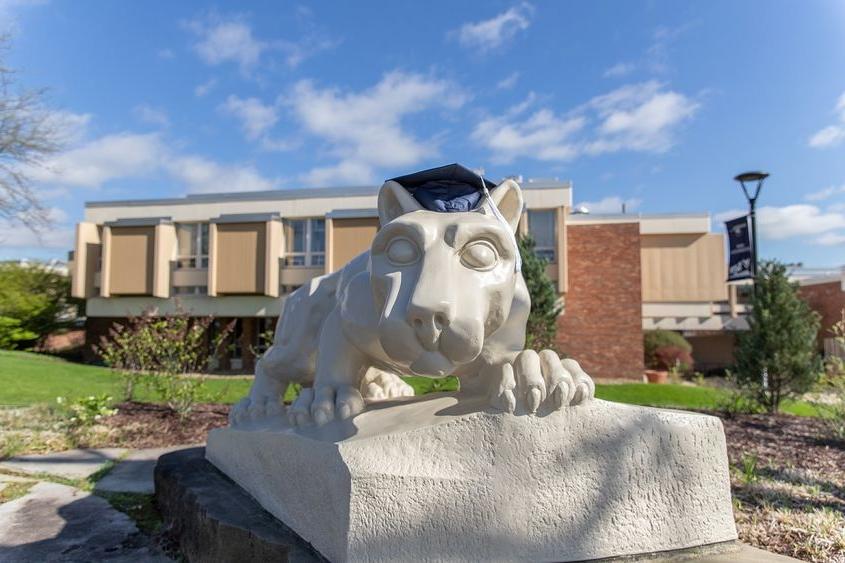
(535, 379)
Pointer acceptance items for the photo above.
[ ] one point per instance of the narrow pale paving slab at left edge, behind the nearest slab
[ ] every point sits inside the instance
(72, 464)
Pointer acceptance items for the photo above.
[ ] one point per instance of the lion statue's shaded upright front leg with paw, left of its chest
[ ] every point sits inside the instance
(335, 394)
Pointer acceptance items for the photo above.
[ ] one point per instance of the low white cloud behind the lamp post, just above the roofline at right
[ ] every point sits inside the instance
(791, 221)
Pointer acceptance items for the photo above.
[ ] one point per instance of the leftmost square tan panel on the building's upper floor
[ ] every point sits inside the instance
(131, 252)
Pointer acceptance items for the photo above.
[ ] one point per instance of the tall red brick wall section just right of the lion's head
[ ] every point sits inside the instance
(601, 326)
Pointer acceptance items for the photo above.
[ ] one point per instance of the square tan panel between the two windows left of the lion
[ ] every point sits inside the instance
(240, 258)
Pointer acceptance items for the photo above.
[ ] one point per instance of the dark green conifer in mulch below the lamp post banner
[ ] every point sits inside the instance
(777, 357)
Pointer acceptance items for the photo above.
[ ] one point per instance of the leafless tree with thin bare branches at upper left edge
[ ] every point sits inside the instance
(28, 135)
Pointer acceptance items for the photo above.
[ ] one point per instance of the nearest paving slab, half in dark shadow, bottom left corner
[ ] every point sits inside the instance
(59, 523)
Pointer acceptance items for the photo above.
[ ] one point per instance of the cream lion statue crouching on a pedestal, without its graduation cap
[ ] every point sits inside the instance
(437, 294)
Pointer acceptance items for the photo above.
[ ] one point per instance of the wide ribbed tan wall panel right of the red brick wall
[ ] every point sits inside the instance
(683, 267)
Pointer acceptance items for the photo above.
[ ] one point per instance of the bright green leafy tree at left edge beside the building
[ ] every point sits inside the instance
(34, 301)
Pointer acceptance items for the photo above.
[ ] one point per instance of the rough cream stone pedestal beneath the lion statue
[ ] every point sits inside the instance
(433, 479)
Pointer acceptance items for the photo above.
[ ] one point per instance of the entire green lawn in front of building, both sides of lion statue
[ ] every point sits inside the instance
(27, 378)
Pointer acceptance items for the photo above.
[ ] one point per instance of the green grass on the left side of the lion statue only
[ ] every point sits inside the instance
(27, 379)
